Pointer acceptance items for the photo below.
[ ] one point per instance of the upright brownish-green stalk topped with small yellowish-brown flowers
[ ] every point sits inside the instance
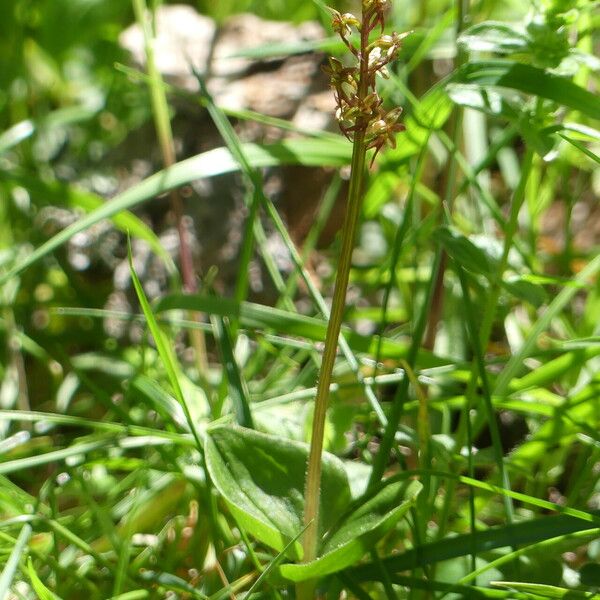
(365, 122)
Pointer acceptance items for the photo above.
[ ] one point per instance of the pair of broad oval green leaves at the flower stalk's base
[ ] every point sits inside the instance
(261, 479)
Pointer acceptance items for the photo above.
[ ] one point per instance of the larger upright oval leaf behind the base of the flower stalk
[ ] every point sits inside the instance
(261, 478)
